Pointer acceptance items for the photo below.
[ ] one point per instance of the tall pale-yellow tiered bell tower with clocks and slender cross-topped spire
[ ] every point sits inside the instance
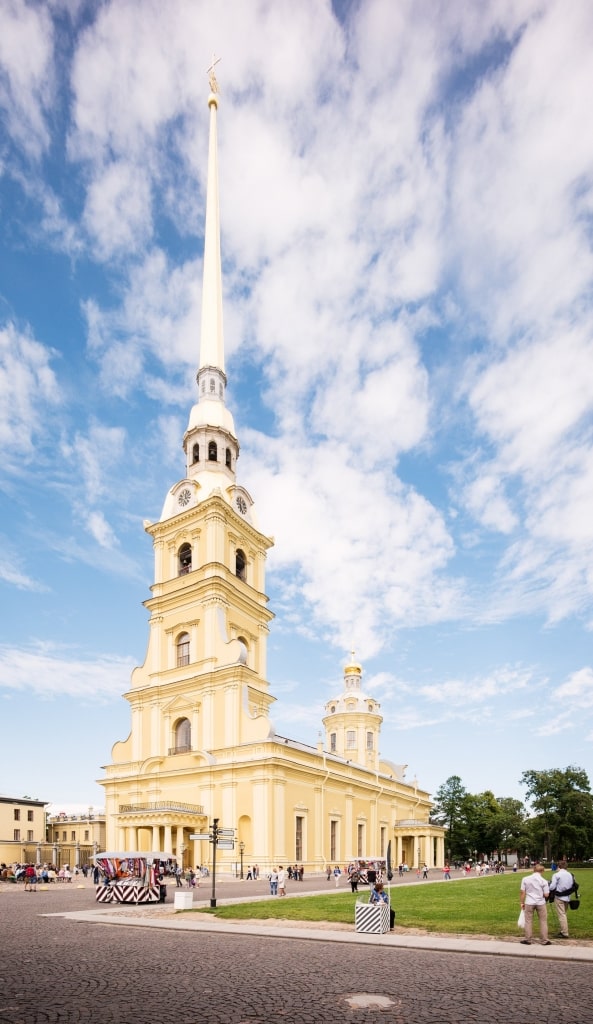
(203, 687)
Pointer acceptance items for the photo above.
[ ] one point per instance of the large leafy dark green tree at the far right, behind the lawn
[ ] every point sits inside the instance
(563, 826)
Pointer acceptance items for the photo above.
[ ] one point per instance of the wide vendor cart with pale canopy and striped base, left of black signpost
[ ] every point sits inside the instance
(133, 876)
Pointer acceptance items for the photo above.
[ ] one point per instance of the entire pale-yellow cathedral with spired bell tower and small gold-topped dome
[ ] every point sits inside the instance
(202, 745)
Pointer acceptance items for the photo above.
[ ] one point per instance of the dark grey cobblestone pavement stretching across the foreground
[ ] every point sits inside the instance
(57, 970)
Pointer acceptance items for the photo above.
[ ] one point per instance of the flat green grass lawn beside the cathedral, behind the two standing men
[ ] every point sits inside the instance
(489, 906)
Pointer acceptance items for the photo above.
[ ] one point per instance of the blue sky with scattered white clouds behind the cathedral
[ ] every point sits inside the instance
(407, 209)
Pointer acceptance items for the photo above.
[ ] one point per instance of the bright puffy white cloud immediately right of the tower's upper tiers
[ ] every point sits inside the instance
(367, 554)
